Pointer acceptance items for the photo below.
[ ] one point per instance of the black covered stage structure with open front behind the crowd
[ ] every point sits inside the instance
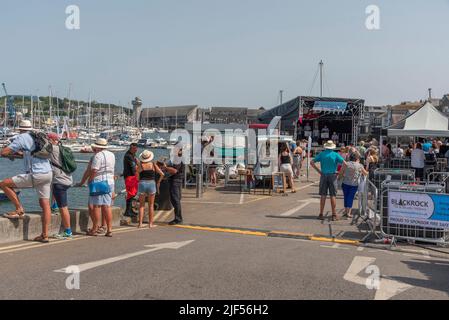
(307, 116)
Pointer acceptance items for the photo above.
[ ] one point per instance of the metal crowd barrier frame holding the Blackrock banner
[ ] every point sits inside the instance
(408, 232)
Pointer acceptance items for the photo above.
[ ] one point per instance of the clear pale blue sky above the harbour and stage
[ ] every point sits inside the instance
(225, 52)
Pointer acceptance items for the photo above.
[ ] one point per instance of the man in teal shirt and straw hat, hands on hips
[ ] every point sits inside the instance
(329, 160)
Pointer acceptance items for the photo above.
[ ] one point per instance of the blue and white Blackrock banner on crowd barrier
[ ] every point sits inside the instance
(419, 209)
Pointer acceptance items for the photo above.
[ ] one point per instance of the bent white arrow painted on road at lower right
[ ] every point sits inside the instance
(387, 288)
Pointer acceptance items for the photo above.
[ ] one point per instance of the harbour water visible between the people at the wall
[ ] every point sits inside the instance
(77, 196)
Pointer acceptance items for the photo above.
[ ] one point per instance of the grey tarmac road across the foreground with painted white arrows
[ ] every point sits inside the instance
(215, 265)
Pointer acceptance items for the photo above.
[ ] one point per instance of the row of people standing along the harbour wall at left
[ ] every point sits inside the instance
(45, 171)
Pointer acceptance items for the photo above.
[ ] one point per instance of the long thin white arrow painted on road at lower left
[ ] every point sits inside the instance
(154, 247)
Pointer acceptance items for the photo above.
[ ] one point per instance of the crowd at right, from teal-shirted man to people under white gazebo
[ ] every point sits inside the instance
(350, 164)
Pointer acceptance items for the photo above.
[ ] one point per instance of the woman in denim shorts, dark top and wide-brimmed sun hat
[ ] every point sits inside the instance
(146, 173)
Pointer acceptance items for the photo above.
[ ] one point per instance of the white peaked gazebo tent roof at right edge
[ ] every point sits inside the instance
(425, 122)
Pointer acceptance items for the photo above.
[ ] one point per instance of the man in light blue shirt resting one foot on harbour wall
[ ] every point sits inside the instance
(37, 174)
